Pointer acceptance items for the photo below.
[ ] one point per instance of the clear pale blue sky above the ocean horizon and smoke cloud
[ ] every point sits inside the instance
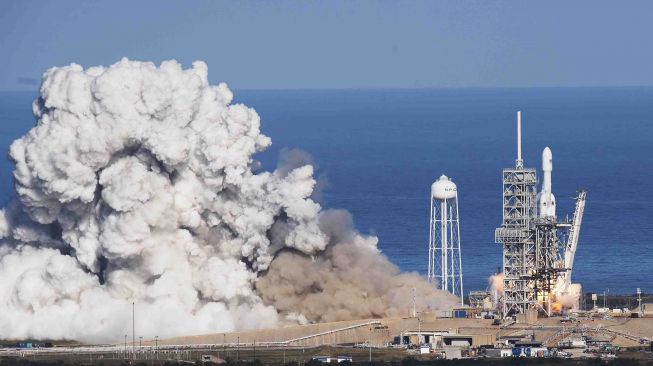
(340, 44)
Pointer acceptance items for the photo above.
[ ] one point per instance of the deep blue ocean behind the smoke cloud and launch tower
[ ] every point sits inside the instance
(379, 151)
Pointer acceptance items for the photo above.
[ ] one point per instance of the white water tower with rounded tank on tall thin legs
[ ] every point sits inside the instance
(445, 263)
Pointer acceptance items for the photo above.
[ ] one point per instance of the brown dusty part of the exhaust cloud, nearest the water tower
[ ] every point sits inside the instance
(351, 280)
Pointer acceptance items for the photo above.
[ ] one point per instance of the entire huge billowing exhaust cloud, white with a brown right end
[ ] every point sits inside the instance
(137, 186)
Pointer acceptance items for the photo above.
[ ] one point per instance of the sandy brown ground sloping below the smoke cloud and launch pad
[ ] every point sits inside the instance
(350, 338)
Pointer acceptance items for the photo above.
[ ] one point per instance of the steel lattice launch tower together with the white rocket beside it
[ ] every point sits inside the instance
(538, 249)
